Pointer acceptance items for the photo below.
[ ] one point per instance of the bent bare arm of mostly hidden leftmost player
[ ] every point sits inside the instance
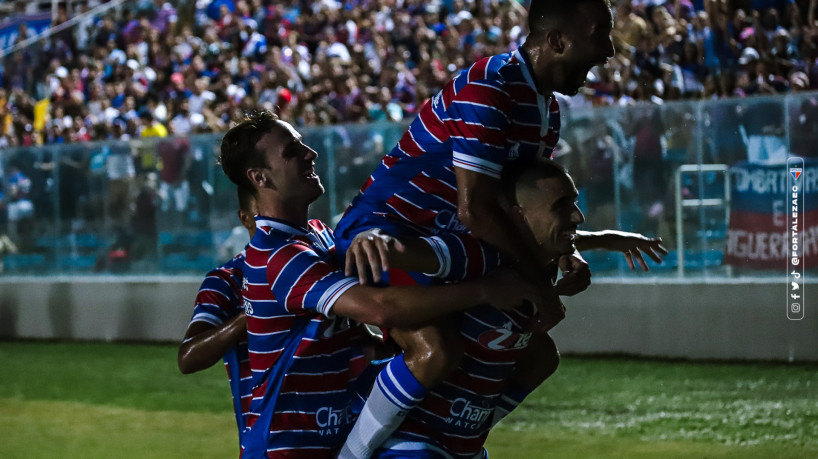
(205, 344)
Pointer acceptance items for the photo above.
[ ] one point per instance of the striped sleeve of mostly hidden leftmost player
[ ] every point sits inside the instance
(219, 297)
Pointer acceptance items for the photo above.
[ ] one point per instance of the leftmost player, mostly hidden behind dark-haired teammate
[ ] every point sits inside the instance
(218, 328)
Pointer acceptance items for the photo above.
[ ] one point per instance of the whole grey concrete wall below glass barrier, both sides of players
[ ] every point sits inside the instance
(743, 320)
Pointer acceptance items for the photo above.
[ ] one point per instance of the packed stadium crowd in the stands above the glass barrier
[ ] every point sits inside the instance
(155, 68)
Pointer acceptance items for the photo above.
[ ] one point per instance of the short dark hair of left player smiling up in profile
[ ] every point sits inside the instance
(238, 149)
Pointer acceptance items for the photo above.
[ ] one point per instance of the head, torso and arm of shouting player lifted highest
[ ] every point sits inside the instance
(443, 175)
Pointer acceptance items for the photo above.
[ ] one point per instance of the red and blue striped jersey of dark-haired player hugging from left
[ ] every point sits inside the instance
(289, 280)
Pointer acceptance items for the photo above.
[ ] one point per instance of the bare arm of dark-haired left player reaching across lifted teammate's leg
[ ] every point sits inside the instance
(411, 306)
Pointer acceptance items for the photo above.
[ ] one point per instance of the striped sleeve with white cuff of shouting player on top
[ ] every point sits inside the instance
(478, 120)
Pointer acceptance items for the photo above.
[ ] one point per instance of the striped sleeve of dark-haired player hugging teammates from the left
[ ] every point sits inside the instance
(303, 282)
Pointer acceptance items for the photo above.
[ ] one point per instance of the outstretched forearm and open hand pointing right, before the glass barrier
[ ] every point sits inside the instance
(633, 245)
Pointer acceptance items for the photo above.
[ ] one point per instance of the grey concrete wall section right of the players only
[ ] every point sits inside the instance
(743, 320)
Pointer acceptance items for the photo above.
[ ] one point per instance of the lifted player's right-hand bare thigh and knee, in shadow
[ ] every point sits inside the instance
(540, 361)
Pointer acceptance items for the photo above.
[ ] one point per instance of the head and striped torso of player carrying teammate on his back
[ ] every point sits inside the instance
(455, 417)
